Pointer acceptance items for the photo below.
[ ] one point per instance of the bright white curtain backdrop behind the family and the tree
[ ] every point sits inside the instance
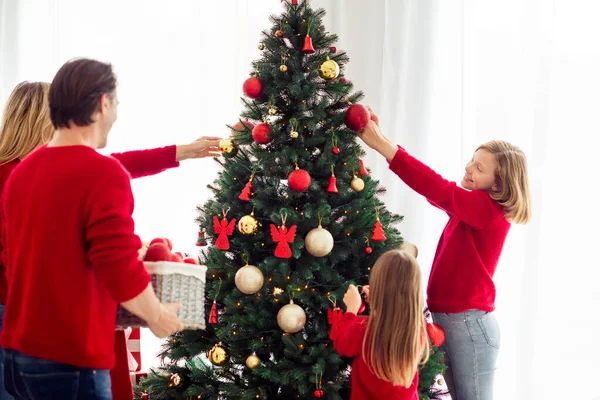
(444, 76)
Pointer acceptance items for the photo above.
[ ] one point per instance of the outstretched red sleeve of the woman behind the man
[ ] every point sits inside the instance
(141, 163)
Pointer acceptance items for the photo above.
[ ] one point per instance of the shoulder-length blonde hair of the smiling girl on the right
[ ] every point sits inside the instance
(512, 179)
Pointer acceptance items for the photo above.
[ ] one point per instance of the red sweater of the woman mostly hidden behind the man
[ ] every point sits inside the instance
(138, 163)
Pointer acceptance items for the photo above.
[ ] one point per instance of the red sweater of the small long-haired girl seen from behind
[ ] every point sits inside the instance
(364, 384)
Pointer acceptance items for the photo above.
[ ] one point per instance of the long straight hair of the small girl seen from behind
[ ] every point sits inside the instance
(396, 339)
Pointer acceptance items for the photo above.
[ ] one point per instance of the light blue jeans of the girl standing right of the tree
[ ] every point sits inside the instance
(471, 347)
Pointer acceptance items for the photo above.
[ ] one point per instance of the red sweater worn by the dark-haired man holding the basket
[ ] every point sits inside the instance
(68, 228)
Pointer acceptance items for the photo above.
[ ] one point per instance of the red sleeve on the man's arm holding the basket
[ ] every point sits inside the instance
(112, 244)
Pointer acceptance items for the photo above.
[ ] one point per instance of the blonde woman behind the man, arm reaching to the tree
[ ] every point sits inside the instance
(26, 126)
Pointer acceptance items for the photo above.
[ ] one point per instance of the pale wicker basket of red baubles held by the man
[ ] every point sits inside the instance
(174, 283)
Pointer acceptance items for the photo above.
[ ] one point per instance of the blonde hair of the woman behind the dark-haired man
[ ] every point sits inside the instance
(26, 123)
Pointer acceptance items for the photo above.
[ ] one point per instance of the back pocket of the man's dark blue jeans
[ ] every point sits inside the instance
(51, 385)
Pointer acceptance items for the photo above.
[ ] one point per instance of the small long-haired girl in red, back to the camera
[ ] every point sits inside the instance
(388, 345)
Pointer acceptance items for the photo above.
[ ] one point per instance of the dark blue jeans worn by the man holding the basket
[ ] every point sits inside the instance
(34, 378)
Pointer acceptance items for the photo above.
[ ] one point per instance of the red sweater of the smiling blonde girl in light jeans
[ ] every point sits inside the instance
(471, 243)
